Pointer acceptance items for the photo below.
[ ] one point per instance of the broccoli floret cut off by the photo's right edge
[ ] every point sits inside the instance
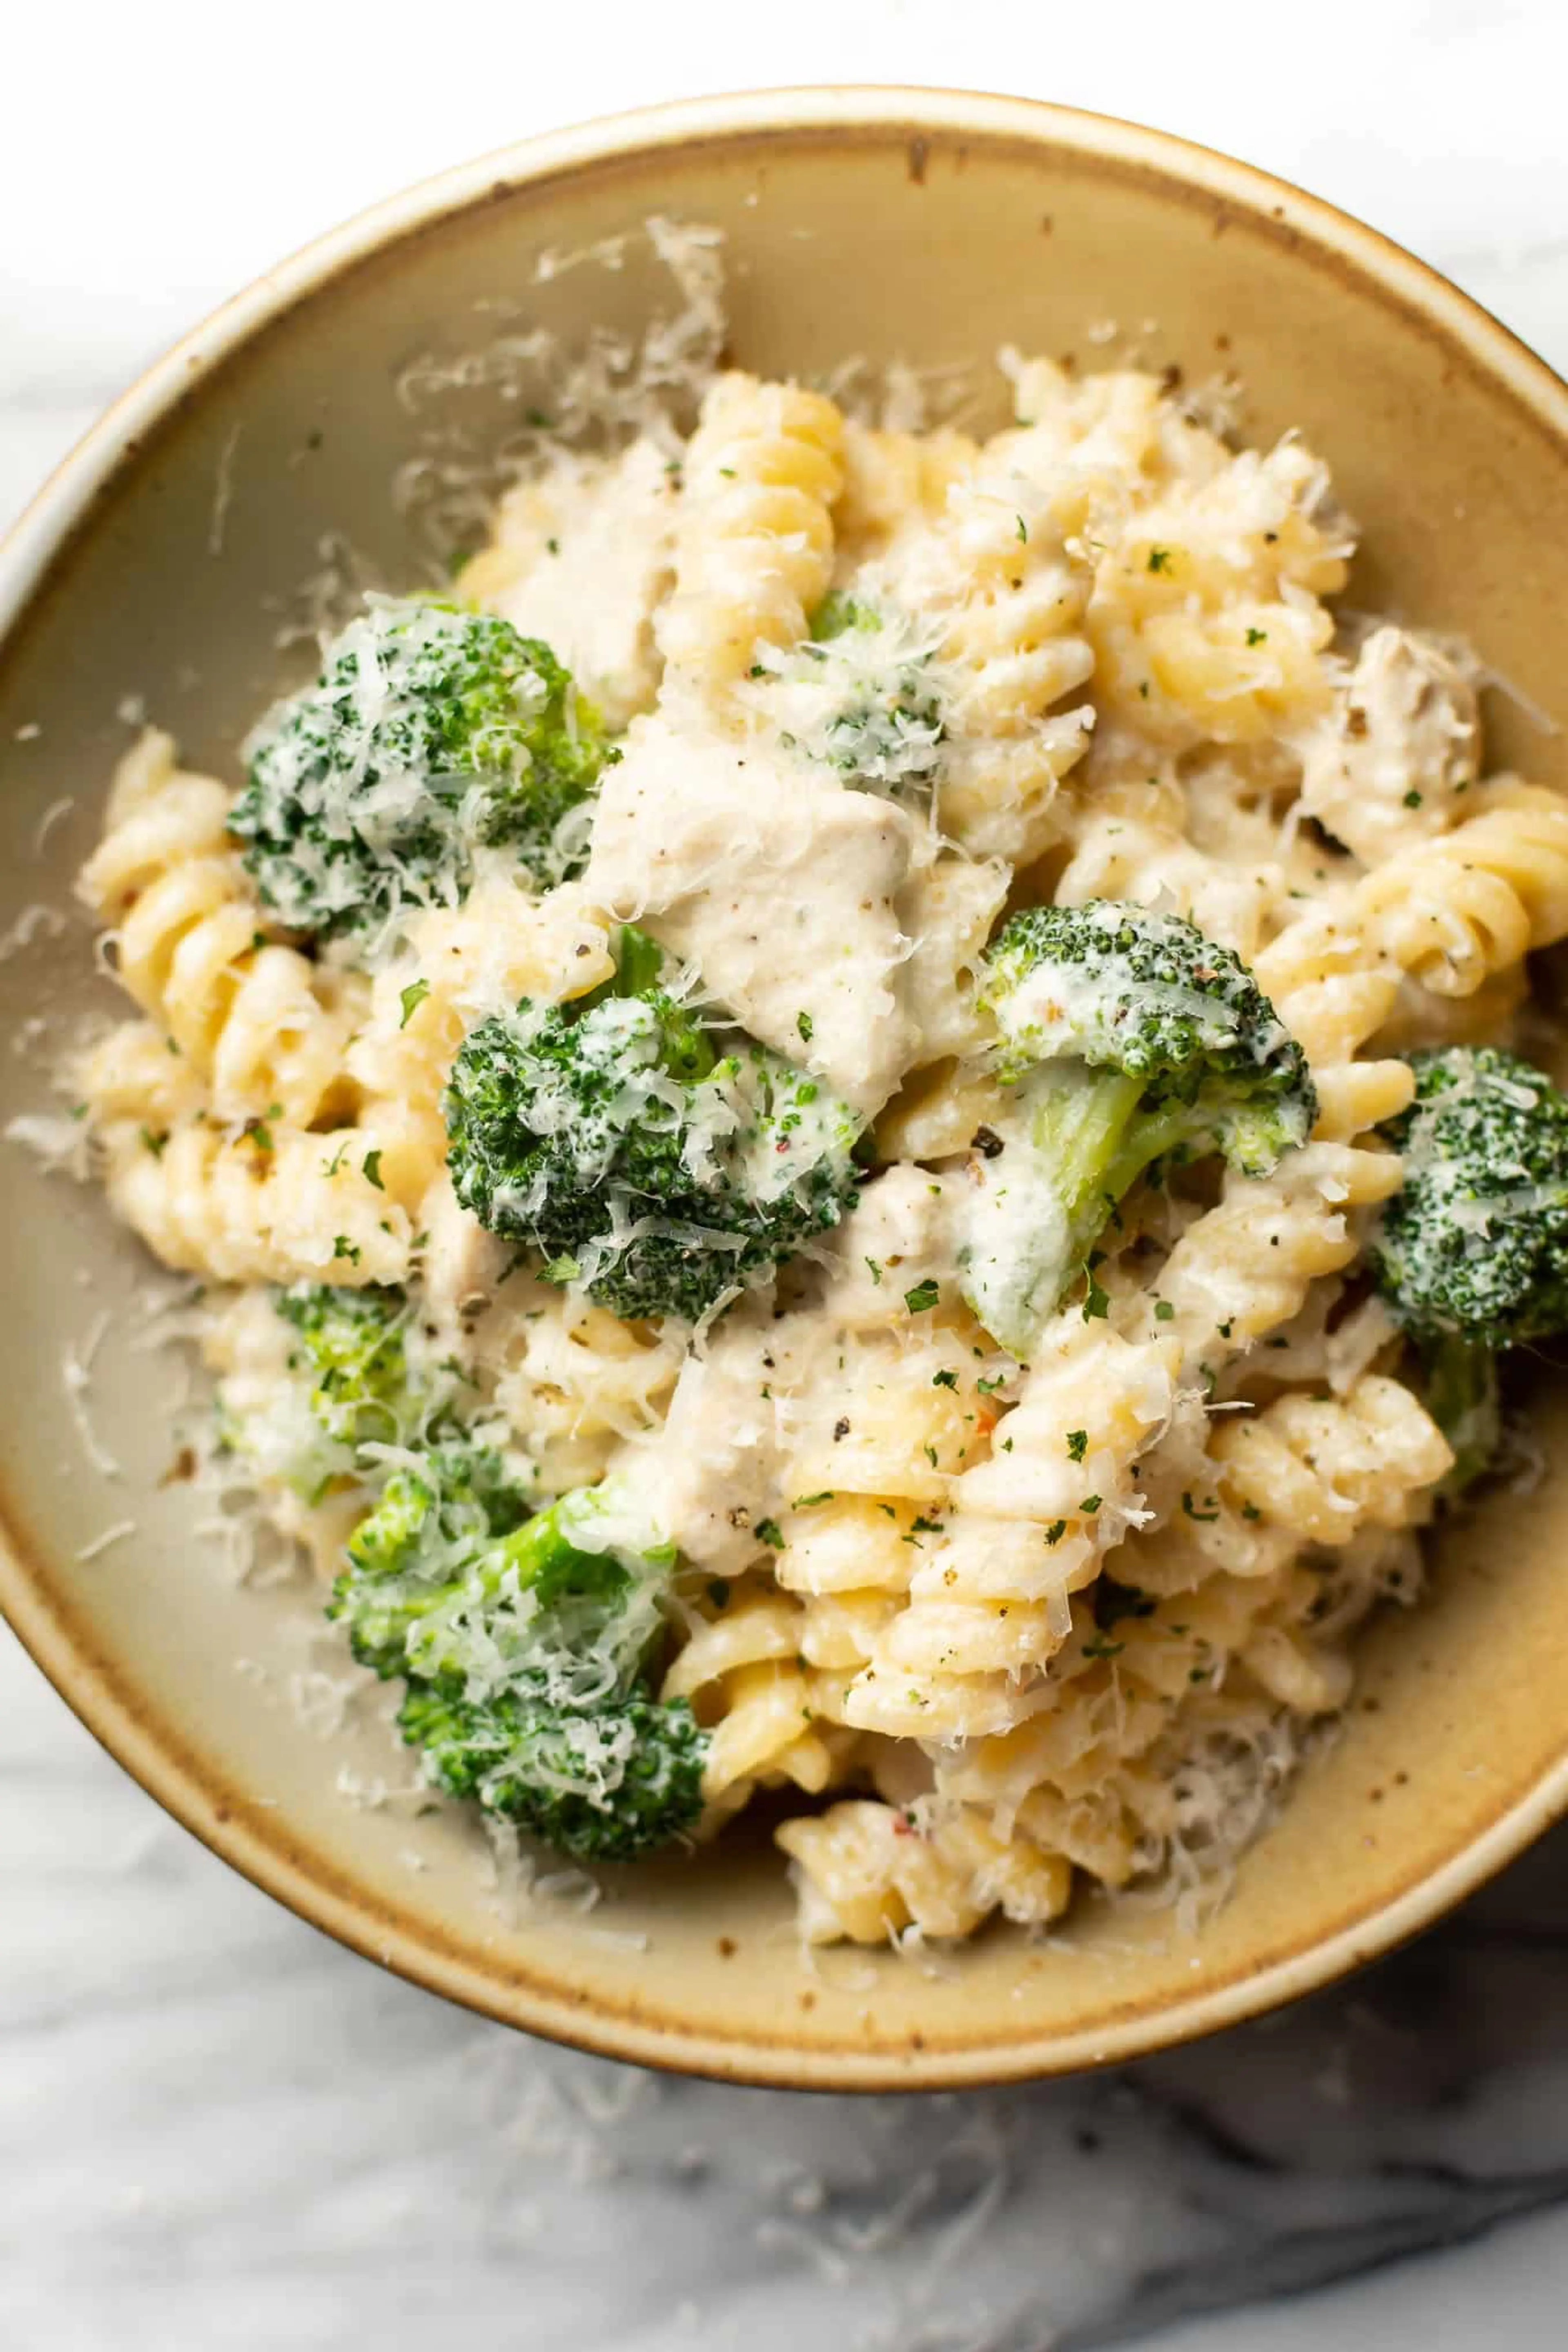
(1473, 1255)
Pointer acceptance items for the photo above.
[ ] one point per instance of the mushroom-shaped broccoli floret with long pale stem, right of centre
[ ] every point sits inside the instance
(1125, 1038)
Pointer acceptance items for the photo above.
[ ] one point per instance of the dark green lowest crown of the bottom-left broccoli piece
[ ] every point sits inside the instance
(605, 1789)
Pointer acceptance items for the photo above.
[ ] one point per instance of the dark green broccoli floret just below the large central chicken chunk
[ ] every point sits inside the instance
(643, 1149)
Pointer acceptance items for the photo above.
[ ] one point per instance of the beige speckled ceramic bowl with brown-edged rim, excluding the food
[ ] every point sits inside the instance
(156, 566)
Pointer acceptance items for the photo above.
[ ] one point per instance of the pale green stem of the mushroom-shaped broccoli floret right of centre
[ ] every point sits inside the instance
(1078, 1147)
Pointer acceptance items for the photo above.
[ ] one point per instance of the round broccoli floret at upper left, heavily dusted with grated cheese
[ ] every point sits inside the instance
(429, 735)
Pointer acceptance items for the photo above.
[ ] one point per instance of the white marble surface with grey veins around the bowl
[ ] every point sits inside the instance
(222, 2132)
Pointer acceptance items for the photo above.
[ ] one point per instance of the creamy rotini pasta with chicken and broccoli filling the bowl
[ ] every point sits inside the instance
(857, 1130)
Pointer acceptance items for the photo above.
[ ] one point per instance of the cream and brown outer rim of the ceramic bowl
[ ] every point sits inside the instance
(58, 1636)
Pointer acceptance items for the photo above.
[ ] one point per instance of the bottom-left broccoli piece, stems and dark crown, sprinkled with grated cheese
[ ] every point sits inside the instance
(525, 1650)
